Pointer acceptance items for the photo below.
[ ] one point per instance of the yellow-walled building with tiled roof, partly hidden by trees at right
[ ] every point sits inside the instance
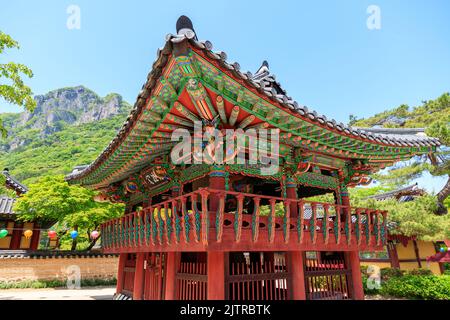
(406, 252)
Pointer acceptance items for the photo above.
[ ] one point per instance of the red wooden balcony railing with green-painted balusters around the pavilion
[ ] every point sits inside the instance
(217, 218)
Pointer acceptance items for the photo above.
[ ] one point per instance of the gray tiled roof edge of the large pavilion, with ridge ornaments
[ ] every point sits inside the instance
(263, 81)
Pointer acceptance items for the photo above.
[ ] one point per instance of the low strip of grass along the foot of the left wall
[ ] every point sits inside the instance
(42, 284)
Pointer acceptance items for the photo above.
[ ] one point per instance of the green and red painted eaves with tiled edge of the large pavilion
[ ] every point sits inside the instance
(301, 128)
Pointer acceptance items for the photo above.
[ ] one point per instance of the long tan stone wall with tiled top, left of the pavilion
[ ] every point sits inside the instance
(21, 267)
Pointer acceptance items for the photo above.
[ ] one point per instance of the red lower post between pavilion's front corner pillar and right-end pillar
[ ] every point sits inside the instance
(295, 266)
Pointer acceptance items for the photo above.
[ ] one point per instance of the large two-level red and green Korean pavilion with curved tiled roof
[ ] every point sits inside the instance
(227, 229)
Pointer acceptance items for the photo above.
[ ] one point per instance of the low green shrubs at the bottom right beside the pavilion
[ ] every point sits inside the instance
(415, 284)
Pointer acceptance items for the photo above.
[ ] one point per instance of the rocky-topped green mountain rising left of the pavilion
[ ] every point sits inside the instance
(69, 127)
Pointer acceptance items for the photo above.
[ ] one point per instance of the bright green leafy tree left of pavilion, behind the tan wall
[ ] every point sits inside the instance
(52, 200)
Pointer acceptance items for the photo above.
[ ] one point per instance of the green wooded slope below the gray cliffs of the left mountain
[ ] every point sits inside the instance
(59, 152)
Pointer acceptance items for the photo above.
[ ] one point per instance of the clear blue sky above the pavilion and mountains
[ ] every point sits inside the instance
(321, 51)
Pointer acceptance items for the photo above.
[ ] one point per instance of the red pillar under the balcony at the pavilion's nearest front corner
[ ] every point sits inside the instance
(216, 275)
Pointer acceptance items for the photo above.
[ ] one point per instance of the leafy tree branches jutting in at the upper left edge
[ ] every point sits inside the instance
(15, 92)
